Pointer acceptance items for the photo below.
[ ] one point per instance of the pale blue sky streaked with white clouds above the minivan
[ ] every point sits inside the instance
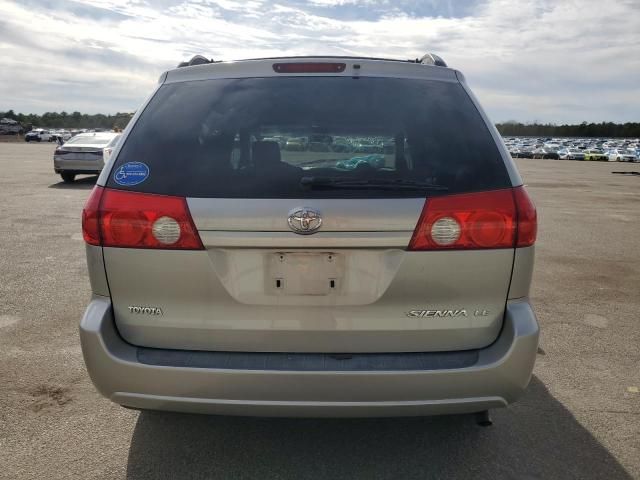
(532, 60)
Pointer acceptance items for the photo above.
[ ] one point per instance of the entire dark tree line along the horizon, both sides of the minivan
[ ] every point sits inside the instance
(512, 128)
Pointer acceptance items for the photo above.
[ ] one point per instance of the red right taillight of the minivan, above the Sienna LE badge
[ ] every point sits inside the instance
(495, 219)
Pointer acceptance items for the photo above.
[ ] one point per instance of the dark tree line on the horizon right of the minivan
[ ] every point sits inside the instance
(584, 129)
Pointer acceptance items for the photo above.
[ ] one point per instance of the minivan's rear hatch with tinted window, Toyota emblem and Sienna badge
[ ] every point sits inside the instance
(306, 193)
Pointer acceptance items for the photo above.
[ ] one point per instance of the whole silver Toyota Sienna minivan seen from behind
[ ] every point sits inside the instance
(379, 268)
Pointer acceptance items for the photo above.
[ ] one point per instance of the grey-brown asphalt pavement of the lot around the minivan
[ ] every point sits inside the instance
(580, 417)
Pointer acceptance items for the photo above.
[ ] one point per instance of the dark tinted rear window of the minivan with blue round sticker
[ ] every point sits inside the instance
(310, 137)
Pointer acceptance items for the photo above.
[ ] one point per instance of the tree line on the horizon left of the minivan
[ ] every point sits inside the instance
(69, 120)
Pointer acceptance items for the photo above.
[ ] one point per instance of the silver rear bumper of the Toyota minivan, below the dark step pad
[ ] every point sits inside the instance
(498, 377)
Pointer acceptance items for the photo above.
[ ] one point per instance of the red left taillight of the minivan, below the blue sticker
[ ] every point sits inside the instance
(115, 218)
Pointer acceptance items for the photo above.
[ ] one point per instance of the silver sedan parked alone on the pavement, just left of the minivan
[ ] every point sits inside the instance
(82, 154)
